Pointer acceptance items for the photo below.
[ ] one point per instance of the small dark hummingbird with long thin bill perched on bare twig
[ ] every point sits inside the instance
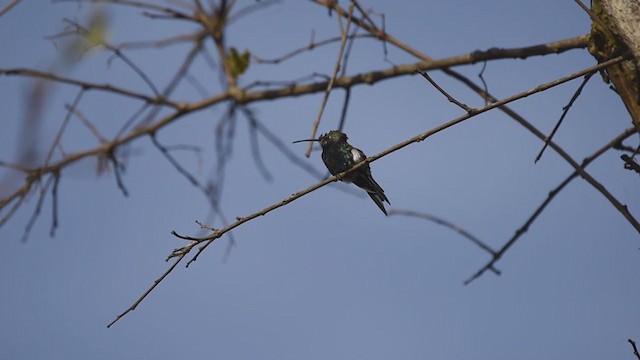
(338, 156)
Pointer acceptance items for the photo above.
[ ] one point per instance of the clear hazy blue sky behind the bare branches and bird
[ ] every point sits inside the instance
(327, 276)
